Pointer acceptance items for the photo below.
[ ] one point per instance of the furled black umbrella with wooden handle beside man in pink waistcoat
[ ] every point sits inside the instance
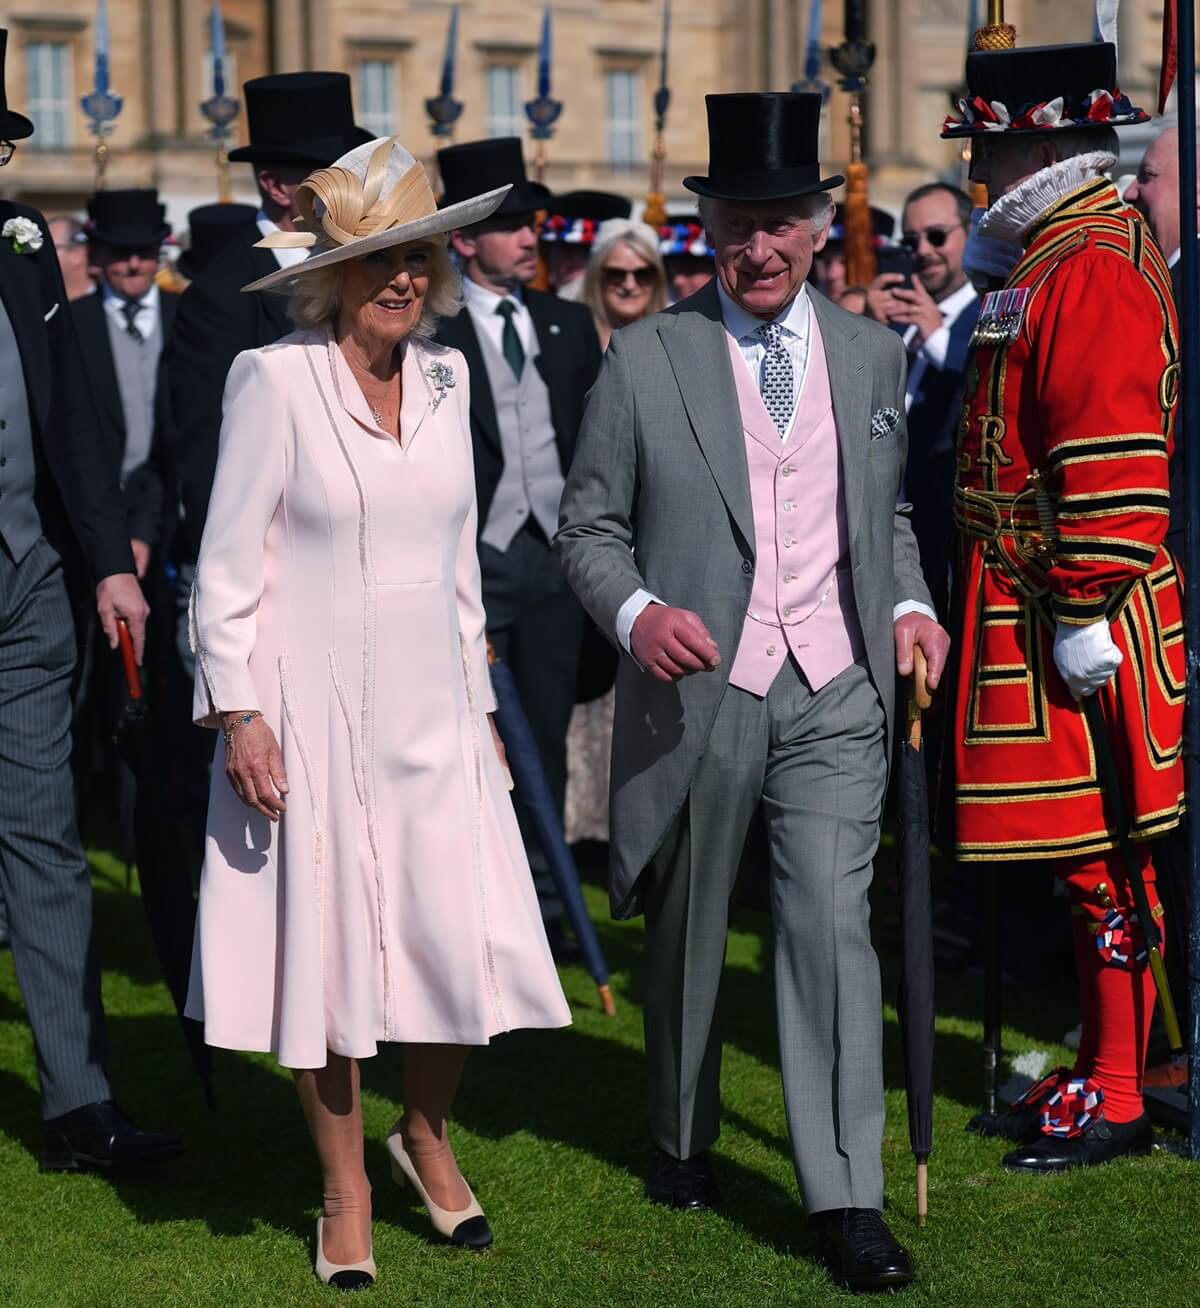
(915, 1000)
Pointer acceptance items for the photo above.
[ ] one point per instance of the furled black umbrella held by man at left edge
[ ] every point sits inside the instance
(167, 894)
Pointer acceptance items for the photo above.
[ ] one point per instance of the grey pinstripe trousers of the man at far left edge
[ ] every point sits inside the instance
(44, 874)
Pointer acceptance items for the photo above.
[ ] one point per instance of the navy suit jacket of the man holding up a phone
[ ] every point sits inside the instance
(930, 477)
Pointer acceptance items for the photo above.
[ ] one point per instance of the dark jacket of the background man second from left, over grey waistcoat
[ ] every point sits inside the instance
(143, 489)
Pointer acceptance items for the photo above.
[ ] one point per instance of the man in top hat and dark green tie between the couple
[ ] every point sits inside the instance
(533, 359)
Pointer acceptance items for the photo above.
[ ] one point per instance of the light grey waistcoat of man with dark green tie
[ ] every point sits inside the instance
(532, 482)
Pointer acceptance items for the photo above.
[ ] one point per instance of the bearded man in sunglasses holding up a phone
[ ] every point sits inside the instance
(935, 308)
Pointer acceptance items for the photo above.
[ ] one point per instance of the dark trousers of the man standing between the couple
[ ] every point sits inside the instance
(537, 626)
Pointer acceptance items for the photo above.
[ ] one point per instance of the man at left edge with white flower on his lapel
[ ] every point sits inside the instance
(57, 482)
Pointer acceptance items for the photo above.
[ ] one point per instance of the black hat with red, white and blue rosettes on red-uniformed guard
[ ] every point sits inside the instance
(1041, 90)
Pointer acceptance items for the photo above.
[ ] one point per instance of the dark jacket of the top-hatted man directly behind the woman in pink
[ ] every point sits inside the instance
(214, 325)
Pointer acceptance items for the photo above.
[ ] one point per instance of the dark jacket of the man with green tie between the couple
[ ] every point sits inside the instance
(569, 363)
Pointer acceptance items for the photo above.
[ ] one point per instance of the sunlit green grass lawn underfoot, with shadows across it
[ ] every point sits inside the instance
(552, 1132)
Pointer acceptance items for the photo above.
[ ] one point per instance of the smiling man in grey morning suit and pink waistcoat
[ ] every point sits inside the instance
(741, 458)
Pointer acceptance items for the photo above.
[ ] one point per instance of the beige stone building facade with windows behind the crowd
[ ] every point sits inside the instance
(605, 71)
